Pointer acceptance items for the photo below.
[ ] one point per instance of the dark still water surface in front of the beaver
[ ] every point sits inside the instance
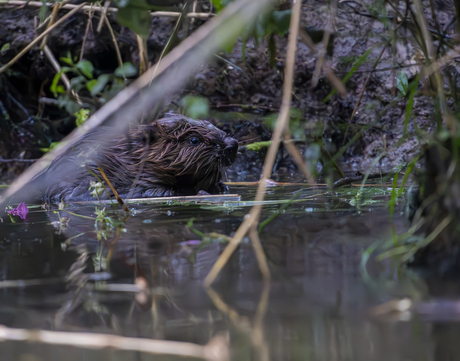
(320, 305)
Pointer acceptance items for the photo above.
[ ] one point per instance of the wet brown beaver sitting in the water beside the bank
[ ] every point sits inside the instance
(171, 156)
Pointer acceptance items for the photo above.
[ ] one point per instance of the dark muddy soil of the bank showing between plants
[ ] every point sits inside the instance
(236, 90)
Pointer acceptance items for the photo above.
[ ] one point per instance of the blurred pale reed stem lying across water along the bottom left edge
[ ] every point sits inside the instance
(216, 349)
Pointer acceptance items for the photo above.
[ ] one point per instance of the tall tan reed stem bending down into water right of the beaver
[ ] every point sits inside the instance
(251, 219)
